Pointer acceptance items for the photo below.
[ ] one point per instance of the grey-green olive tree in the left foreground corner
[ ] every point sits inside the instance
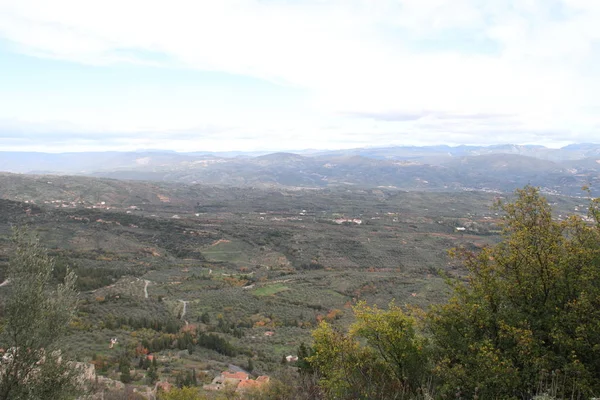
(35, 316)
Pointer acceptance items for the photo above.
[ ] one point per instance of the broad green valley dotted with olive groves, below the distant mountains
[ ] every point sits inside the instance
(209, 277)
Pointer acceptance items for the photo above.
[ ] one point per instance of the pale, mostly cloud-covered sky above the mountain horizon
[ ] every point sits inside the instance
(206, 75)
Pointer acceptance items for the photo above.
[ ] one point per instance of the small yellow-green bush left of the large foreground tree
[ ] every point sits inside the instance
(391, 362)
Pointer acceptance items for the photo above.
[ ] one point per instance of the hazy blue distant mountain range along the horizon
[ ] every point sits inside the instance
(441, 168)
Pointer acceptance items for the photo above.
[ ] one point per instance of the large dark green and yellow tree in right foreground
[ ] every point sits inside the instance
(529, 311)
